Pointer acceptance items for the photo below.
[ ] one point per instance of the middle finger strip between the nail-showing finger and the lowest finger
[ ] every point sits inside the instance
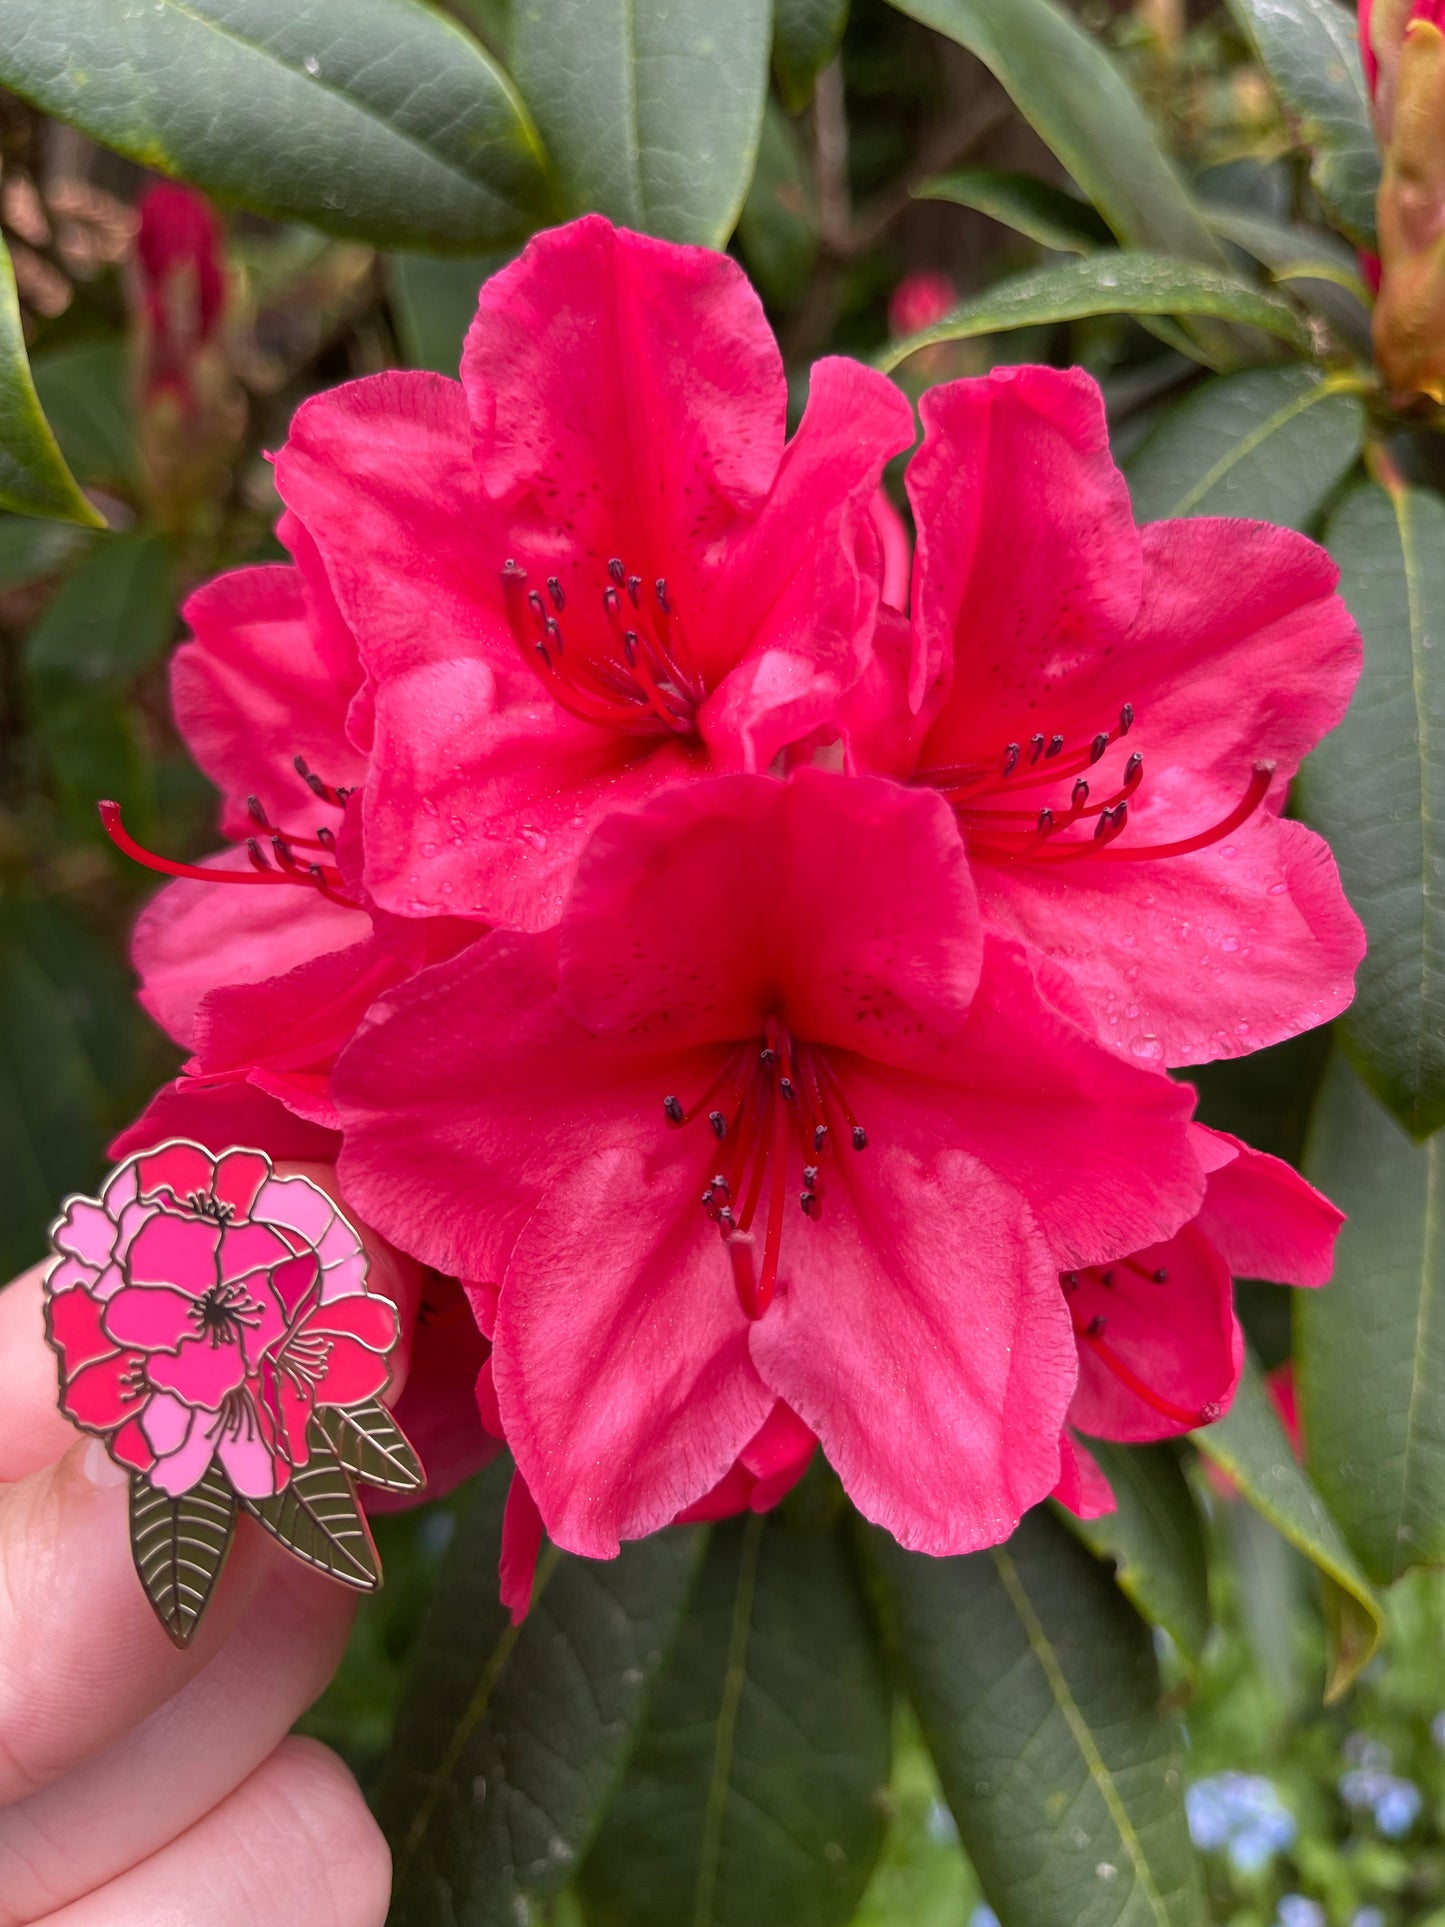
(186, 1758)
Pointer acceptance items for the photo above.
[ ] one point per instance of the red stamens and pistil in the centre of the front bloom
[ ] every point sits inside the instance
(774, 1097)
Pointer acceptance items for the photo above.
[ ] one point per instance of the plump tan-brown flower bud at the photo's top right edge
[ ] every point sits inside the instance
(1409, 327)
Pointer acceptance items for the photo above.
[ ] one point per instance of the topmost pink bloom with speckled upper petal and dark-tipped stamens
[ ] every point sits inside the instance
(591, 569)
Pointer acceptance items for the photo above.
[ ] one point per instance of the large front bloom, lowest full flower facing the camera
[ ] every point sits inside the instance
(766, 1119)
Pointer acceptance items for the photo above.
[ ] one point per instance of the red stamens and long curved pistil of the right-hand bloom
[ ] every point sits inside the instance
(1088, 826)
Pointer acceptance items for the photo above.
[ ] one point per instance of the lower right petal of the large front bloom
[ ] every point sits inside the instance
(920, 1334)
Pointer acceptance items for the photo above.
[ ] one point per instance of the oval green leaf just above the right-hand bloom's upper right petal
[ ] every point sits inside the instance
(1271, 444)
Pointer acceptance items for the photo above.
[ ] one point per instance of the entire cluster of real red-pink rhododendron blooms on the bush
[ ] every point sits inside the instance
(737, 955)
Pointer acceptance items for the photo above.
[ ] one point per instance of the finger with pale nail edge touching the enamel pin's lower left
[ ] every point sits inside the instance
(82, 1654)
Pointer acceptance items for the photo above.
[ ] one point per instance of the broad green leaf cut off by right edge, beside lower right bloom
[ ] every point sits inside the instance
(1371, 1352)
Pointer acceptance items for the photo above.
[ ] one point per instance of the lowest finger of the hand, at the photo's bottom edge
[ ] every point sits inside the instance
(294, 1847)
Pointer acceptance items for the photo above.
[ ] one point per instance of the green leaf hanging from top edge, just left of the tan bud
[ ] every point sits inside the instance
(1311, 53)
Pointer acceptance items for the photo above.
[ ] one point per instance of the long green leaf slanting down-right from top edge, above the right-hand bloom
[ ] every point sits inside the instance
(1076, 97)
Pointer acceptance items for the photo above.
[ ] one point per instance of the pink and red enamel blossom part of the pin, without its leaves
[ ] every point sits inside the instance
(203, 1309)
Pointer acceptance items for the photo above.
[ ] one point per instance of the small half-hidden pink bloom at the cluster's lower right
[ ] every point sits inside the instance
(1159, 1340)
